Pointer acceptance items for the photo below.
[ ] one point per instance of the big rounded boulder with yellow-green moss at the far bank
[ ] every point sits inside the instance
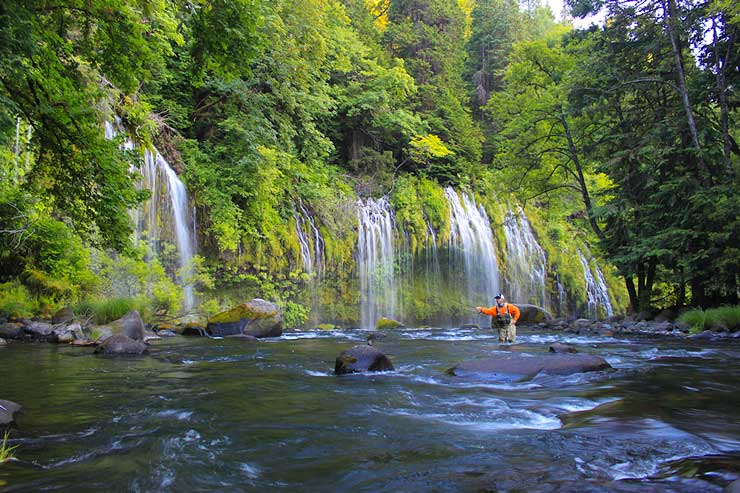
(258, 318)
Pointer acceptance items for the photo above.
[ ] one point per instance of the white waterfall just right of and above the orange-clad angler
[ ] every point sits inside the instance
(526, 264)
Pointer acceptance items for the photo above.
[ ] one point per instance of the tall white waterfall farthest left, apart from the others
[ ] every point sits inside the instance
(166, 215)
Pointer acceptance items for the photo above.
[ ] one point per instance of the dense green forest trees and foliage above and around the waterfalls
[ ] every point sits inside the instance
(627, 132)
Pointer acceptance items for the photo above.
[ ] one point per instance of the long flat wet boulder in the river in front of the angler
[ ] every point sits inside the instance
(529, 365)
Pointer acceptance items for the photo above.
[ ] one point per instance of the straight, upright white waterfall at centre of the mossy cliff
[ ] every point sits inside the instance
(376, 260)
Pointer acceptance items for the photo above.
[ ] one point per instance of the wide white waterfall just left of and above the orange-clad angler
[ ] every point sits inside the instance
(472, 249)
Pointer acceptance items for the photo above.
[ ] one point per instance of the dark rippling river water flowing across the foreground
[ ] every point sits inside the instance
(227, 415)
